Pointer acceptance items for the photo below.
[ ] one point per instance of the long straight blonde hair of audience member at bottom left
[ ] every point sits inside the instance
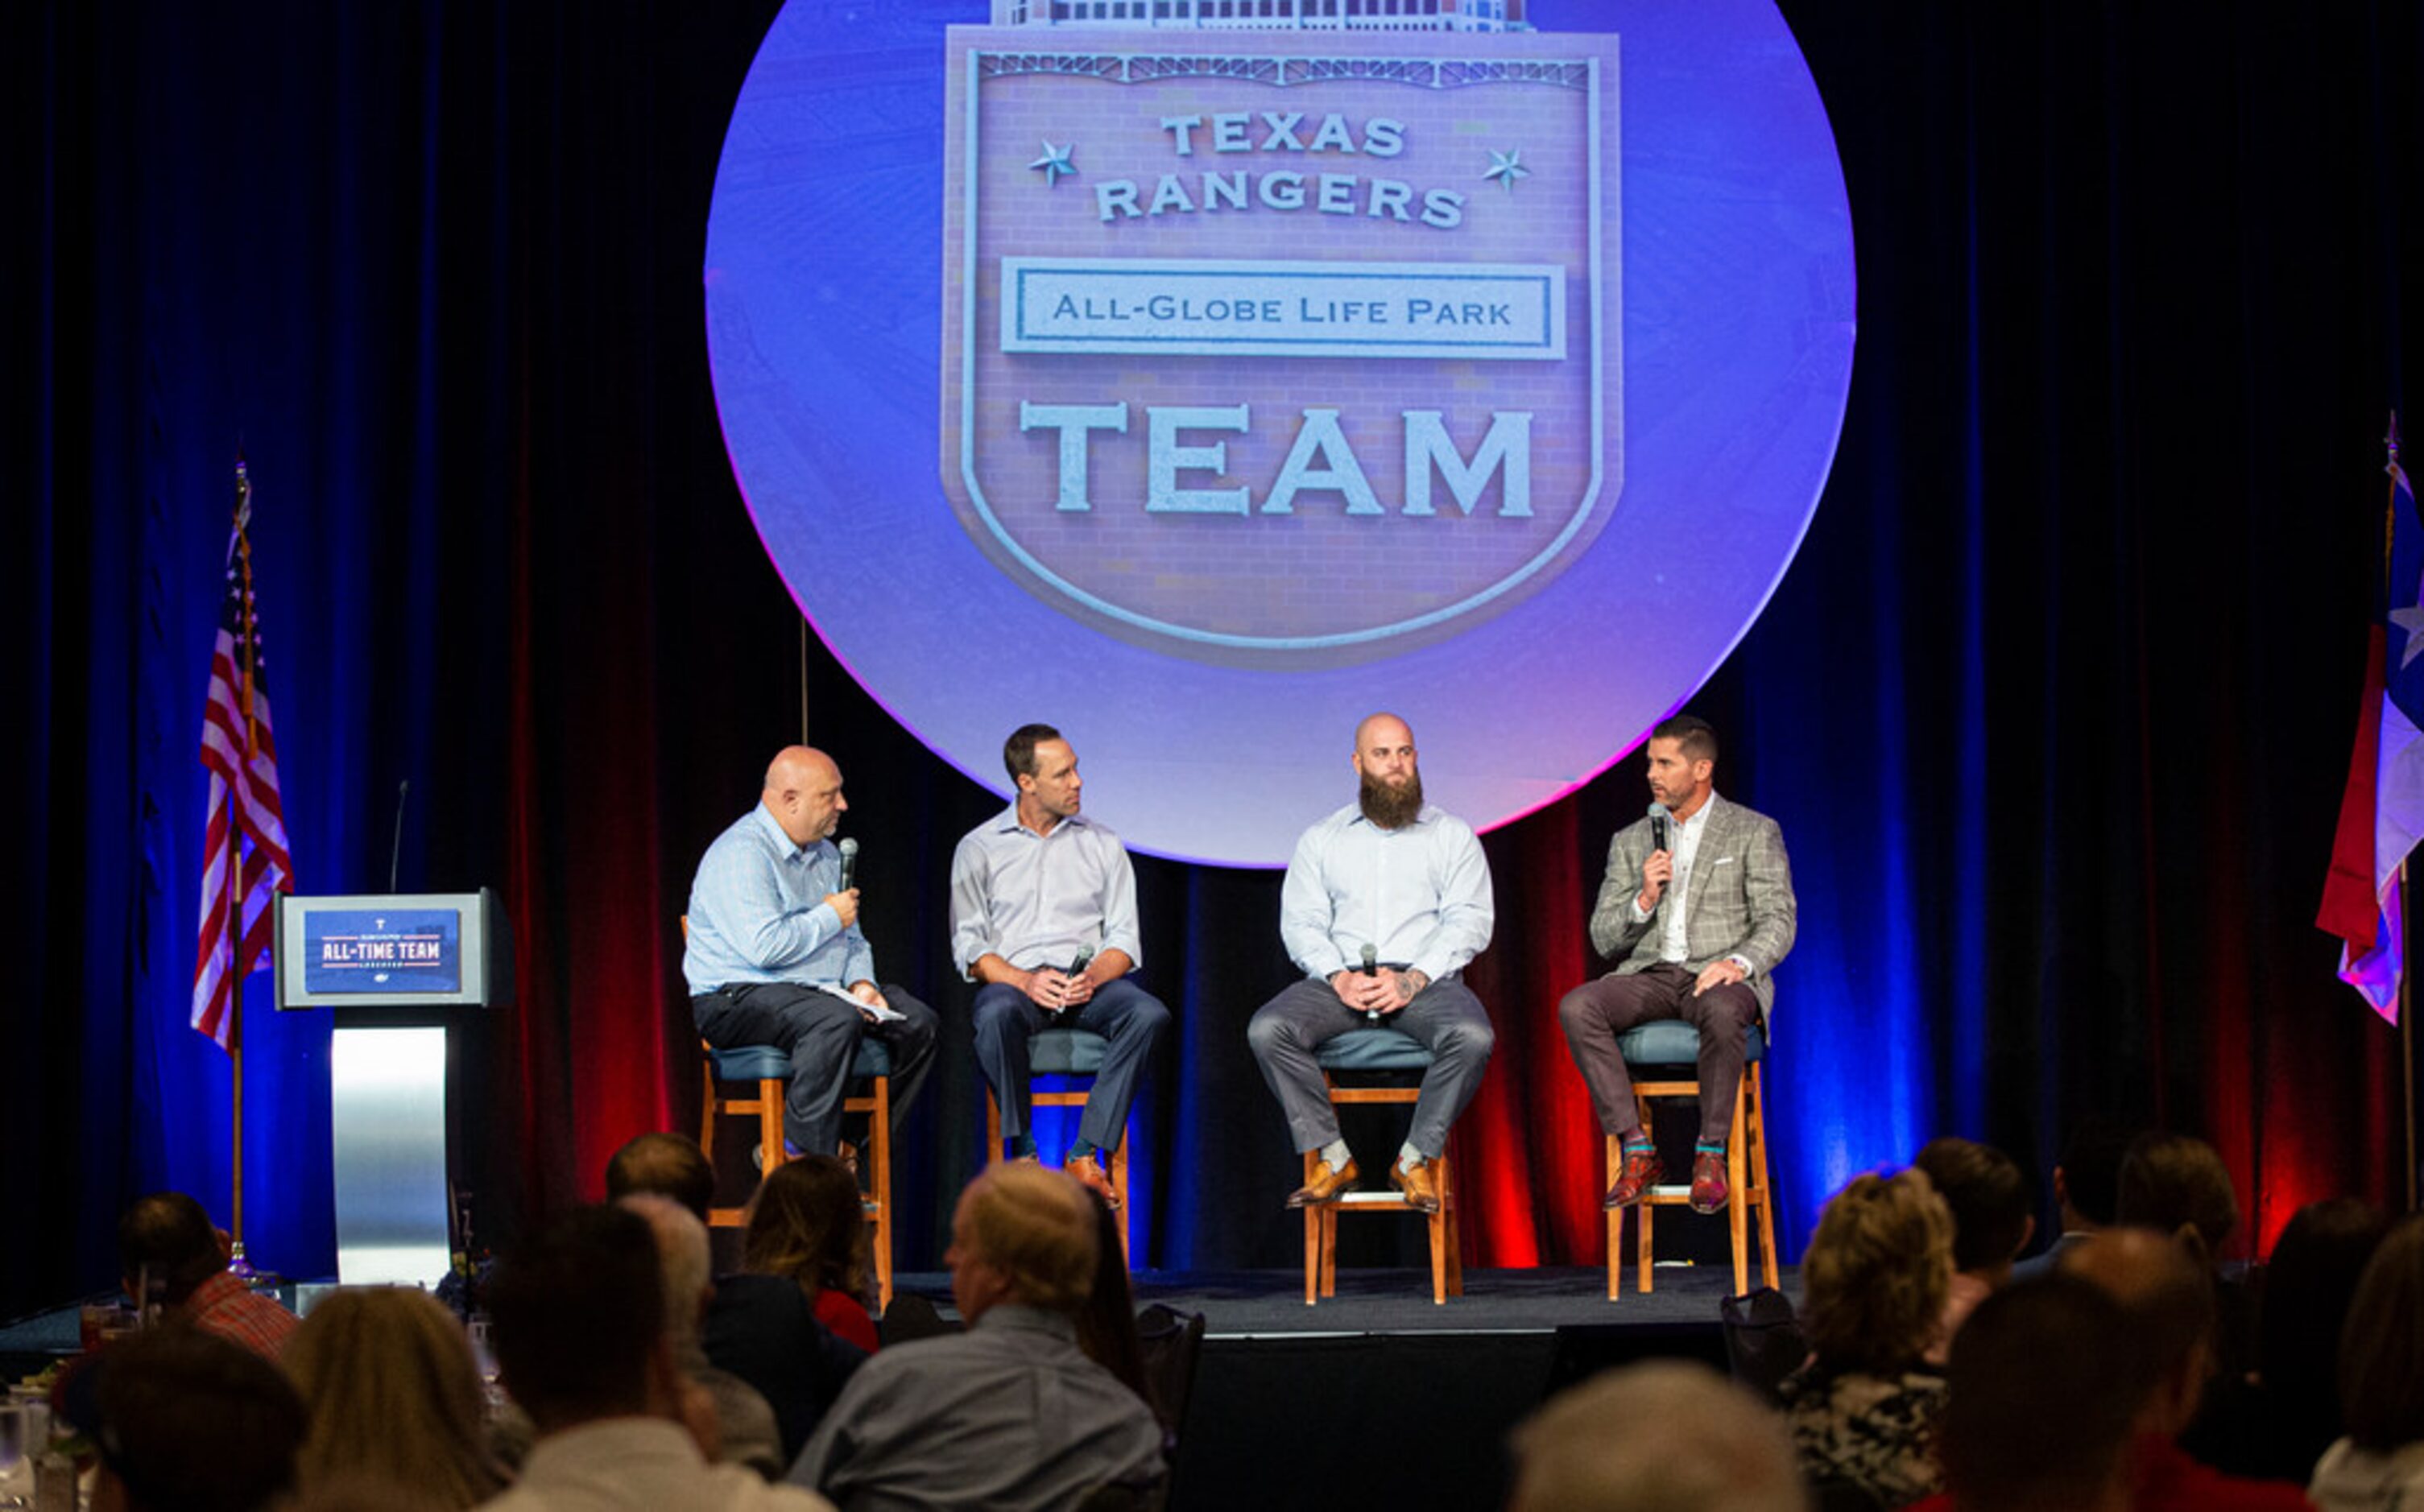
(394, 1399)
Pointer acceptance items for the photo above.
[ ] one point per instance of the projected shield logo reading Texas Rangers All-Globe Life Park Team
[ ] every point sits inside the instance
(1281, 348)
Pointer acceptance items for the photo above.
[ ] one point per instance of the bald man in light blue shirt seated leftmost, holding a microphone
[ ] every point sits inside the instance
(774, 953)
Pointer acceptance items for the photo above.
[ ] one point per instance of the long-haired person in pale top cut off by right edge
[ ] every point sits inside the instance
(2382, 1387)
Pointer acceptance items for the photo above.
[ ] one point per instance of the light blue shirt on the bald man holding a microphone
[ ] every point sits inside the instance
(757, 912)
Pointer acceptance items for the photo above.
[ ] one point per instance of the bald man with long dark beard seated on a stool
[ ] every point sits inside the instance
(1383, 905)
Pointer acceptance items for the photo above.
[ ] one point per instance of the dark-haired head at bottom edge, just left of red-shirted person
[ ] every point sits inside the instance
(2042, 1399)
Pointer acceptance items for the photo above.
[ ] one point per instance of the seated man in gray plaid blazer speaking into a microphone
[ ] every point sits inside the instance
(1698, 905)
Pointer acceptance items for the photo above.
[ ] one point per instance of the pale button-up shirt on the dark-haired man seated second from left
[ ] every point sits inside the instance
(1039, 898)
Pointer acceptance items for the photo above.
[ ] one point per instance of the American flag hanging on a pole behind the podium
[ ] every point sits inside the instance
(246, 844)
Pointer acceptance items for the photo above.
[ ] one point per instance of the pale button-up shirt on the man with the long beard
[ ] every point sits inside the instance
(1419, 895)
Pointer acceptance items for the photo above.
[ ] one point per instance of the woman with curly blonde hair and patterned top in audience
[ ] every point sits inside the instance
(1875, 1281)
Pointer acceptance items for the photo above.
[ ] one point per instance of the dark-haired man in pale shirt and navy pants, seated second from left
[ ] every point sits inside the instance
(1036, 893)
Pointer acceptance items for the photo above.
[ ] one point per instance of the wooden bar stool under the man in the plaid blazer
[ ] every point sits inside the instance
(1671, 1046)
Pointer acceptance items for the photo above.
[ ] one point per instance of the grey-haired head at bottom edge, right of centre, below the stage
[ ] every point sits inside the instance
(1669, 1436)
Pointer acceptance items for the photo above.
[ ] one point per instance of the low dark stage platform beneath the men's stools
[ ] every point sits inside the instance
(1378, 1394)
